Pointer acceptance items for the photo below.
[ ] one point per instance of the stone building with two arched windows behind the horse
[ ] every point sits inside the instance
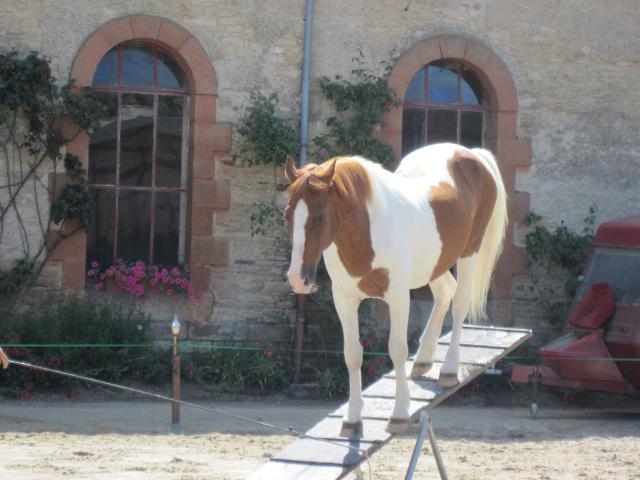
(548, 86)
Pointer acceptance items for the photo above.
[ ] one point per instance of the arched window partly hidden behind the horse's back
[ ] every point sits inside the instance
(445, 102)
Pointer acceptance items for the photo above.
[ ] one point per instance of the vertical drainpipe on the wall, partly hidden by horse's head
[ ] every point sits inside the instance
(304, 138)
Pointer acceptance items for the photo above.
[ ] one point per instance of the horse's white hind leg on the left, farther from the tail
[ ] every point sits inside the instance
(443, 289)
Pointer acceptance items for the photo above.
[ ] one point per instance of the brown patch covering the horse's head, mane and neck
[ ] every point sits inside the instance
(342, 204)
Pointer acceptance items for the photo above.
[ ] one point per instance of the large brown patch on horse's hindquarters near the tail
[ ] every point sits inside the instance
(462, 211)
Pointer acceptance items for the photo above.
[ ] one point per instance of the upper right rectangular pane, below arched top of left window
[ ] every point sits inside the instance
(169, 144)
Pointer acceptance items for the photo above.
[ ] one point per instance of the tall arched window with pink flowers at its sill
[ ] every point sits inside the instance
(138, 158)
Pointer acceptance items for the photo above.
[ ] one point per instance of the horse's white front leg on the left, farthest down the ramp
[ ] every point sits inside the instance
(347, 308)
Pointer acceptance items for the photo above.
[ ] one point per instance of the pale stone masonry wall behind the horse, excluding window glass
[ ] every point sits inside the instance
(571, 142)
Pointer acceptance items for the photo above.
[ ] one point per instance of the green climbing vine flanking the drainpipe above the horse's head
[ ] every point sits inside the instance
(360, 105)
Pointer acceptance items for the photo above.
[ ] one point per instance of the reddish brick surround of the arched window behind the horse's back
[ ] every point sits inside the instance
(511, 152)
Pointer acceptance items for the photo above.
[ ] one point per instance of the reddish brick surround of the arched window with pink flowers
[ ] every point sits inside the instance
(208, 140)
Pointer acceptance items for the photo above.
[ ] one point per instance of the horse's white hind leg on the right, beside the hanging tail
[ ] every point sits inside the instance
(459, 311)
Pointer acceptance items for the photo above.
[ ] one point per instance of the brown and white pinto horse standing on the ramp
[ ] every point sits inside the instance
(384, 233)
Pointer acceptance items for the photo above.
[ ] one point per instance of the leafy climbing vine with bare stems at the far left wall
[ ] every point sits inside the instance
(38, 118)
